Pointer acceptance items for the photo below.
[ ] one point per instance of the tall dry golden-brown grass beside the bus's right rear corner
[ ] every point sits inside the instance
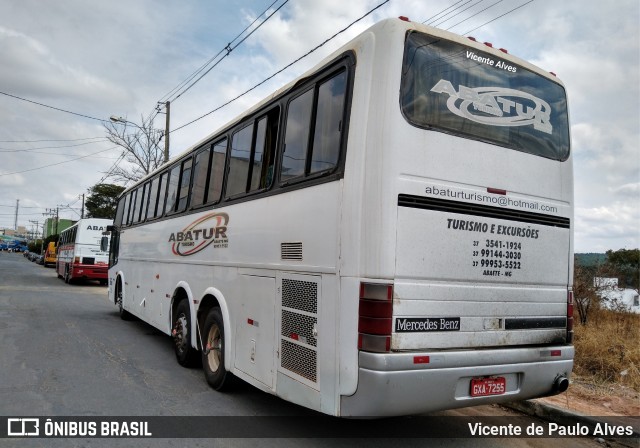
(608, 348)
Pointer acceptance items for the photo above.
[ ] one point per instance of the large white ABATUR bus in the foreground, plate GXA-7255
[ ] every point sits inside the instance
(389, 234)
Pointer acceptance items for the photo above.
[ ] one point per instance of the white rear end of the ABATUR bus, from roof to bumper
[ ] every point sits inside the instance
(466, 298)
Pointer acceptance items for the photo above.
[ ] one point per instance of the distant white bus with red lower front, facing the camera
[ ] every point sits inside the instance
(80, 255)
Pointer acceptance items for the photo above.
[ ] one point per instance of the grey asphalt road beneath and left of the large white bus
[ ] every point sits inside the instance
(65, 352)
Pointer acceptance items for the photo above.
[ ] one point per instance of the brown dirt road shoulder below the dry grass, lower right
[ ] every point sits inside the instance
(597, 400)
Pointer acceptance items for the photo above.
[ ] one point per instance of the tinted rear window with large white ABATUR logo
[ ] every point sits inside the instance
(460, 90)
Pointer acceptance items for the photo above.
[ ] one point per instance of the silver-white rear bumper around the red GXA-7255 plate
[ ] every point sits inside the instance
(412, 383)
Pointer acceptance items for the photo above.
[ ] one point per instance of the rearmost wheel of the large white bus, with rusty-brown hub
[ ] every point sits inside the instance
(213, 352)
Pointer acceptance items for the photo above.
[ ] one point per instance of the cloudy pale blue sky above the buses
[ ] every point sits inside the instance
(67, 65)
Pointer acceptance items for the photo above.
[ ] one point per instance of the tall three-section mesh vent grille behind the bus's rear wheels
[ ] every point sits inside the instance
(298, 328)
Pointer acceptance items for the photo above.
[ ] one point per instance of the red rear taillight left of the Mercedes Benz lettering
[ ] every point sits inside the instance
(375, 317)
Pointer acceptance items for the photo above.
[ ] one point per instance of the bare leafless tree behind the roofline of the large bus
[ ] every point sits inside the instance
(141, 148)
